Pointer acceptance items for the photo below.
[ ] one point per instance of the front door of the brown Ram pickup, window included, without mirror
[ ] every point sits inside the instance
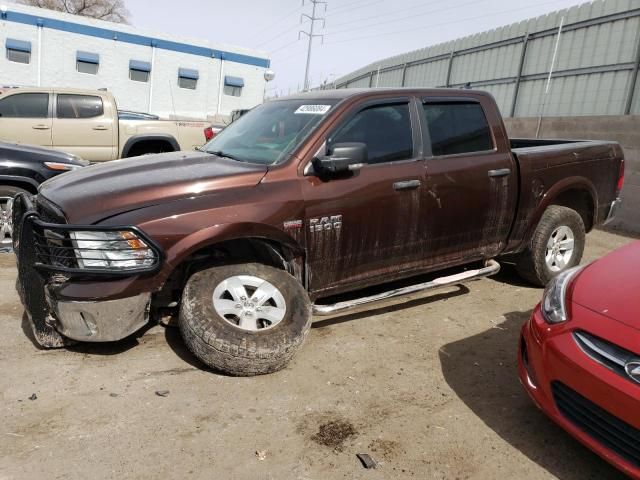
(368, 223)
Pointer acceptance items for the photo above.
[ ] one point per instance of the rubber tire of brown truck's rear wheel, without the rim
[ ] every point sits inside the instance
(531, 264)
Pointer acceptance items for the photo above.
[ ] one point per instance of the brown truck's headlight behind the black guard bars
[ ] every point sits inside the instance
(112, 250)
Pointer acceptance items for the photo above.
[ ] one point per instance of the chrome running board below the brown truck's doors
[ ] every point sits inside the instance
(491, 268)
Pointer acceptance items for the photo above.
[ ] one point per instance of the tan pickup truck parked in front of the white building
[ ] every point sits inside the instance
(86, 123)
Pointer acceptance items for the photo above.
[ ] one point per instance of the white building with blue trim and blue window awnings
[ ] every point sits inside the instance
(159, 74)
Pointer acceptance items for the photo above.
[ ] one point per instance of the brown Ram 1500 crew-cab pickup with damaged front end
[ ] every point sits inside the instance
(294, 207)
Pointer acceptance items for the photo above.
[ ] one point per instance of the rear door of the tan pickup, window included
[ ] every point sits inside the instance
(83, 125)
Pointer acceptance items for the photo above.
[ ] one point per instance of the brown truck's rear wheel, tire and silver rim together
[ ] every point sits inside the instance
(557, 244)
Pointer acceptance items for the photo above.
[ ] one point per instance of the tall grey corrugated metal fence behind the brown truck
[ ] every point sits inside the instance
(595, 73)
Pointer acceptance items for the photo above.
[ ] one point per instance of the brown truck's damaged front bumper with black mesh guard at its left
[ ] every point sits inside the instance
(55, 317)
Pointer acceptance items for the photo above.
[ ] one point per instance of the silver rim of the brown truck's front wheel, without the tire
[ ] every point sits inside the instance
(249, 303)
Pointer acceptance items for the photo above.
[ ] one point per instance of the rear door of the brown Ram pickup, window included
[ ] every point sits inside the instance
(471, 182)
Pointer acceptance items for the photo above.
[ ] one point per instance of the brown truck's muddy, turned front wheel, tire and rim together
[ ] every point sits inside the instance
(244, 319)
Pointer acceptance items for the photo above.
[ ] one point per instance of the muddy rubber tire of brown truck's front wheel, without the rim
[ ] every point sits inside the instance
(234, 351)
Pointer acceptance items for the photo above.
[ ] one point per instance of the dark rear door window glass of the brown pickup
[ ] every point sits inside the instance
(457, 127)
